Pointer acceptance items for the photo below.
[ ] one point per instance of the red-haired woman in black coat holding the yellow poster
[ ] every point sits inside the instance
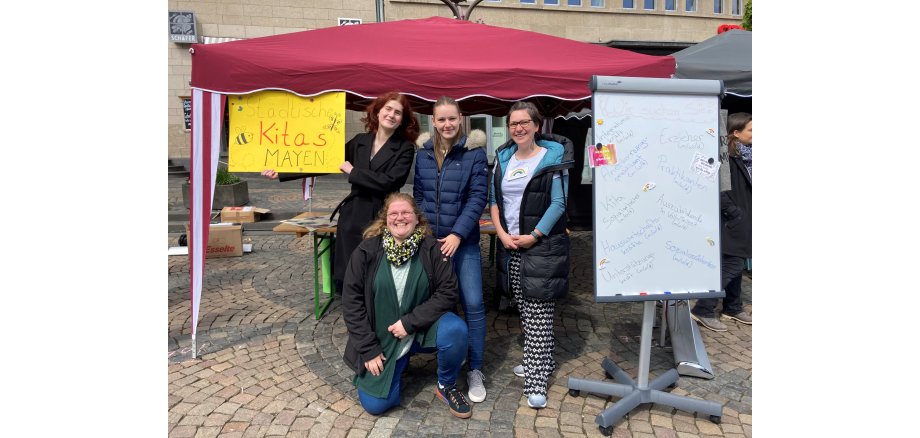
(377, 163)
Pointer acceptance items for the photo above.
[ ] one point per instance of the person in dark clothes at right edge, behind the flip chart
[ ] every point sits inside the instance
(735, 206)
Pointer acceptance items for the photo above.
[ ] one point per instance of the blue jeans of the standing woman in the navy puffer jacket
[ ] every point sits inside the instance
(468, 266)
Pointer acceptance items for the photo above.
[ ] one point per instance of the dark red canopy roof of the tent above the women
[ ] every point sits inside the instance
(484, 67)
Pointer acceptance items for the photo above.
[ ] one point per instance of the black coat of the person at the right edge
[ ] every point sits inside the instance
(736, 211)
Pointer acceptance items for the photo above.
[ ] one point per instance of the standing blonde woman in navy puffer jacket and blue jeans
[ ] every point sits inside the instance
(450, 187)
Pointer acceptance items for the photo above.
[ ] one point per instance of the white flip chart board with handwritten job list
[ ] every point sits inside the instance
(656, 191)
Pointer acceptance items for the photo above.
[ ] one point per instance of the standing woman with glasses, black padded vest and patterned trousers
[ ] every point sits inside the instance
(527, 205)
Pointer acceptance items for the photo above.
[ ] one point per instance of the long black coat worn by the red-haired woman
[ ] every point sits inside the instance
(371, 181)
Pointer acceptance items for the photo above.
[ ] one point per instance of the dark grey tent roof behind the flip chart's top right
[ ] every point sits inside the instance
(726, 56)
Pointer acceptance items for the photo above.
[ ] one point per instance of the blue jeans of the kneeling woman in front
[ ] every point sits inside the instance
(451, 342)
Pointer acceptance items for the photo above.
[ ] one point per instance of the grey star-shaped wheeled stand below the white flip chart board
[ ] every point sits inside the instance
(633, 394)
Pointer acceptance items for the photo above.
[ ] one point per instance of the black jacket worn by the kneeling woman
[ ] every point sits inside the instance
(358, 297)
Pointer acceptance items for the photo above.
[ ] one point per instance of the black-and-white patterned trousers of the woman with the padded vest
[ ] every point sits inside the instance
(537, 323)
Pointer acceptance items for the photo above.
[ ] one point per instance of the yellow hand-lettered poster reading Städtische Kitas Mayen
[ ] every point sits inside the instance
(288, 133)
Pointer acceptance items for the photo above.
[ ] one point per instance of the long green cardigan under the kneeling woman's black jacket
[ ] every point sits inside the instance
(388, 310)
